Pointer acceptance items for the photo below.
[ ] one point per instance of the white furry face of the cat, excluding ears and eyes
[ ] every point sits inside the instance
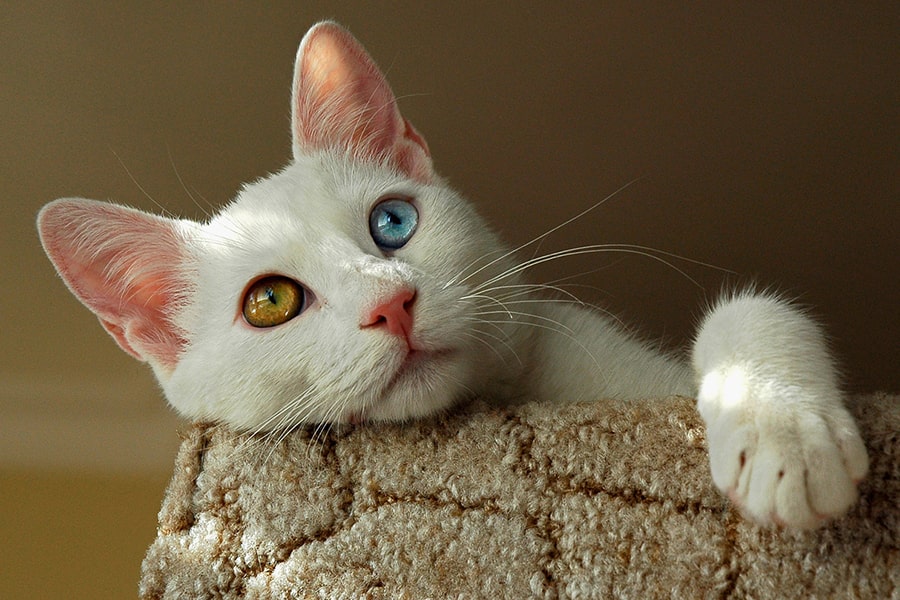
(347, 354)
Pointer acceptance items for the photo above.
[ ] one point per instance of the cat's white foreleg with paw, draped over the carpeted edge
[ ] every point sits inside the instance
(782, 445)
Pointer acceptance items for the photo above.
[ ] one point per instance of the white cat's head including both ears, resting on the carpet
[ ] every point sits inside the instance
(351, 285)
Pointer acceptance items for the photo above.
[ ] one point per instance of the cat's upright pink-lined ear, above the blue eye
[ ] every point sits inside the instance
(342, 101)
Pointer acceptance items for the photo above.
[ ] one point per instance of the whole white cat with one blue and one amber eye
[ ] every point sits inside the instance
(355, 285)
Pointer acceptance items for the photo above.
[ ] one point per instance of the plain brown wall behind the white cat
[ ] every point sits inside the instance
(766, 136)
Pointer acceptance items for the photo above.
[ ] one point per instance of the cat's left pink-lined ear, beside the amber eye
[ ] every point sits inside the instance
(127, 267)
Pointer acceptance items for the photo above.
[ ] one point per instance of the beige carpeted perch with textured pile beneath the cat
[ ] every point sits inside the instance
(599, 500)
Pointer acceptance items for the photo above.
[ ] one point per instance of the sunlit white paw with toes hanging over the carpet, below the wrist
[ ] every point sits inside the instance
(783, 459)
